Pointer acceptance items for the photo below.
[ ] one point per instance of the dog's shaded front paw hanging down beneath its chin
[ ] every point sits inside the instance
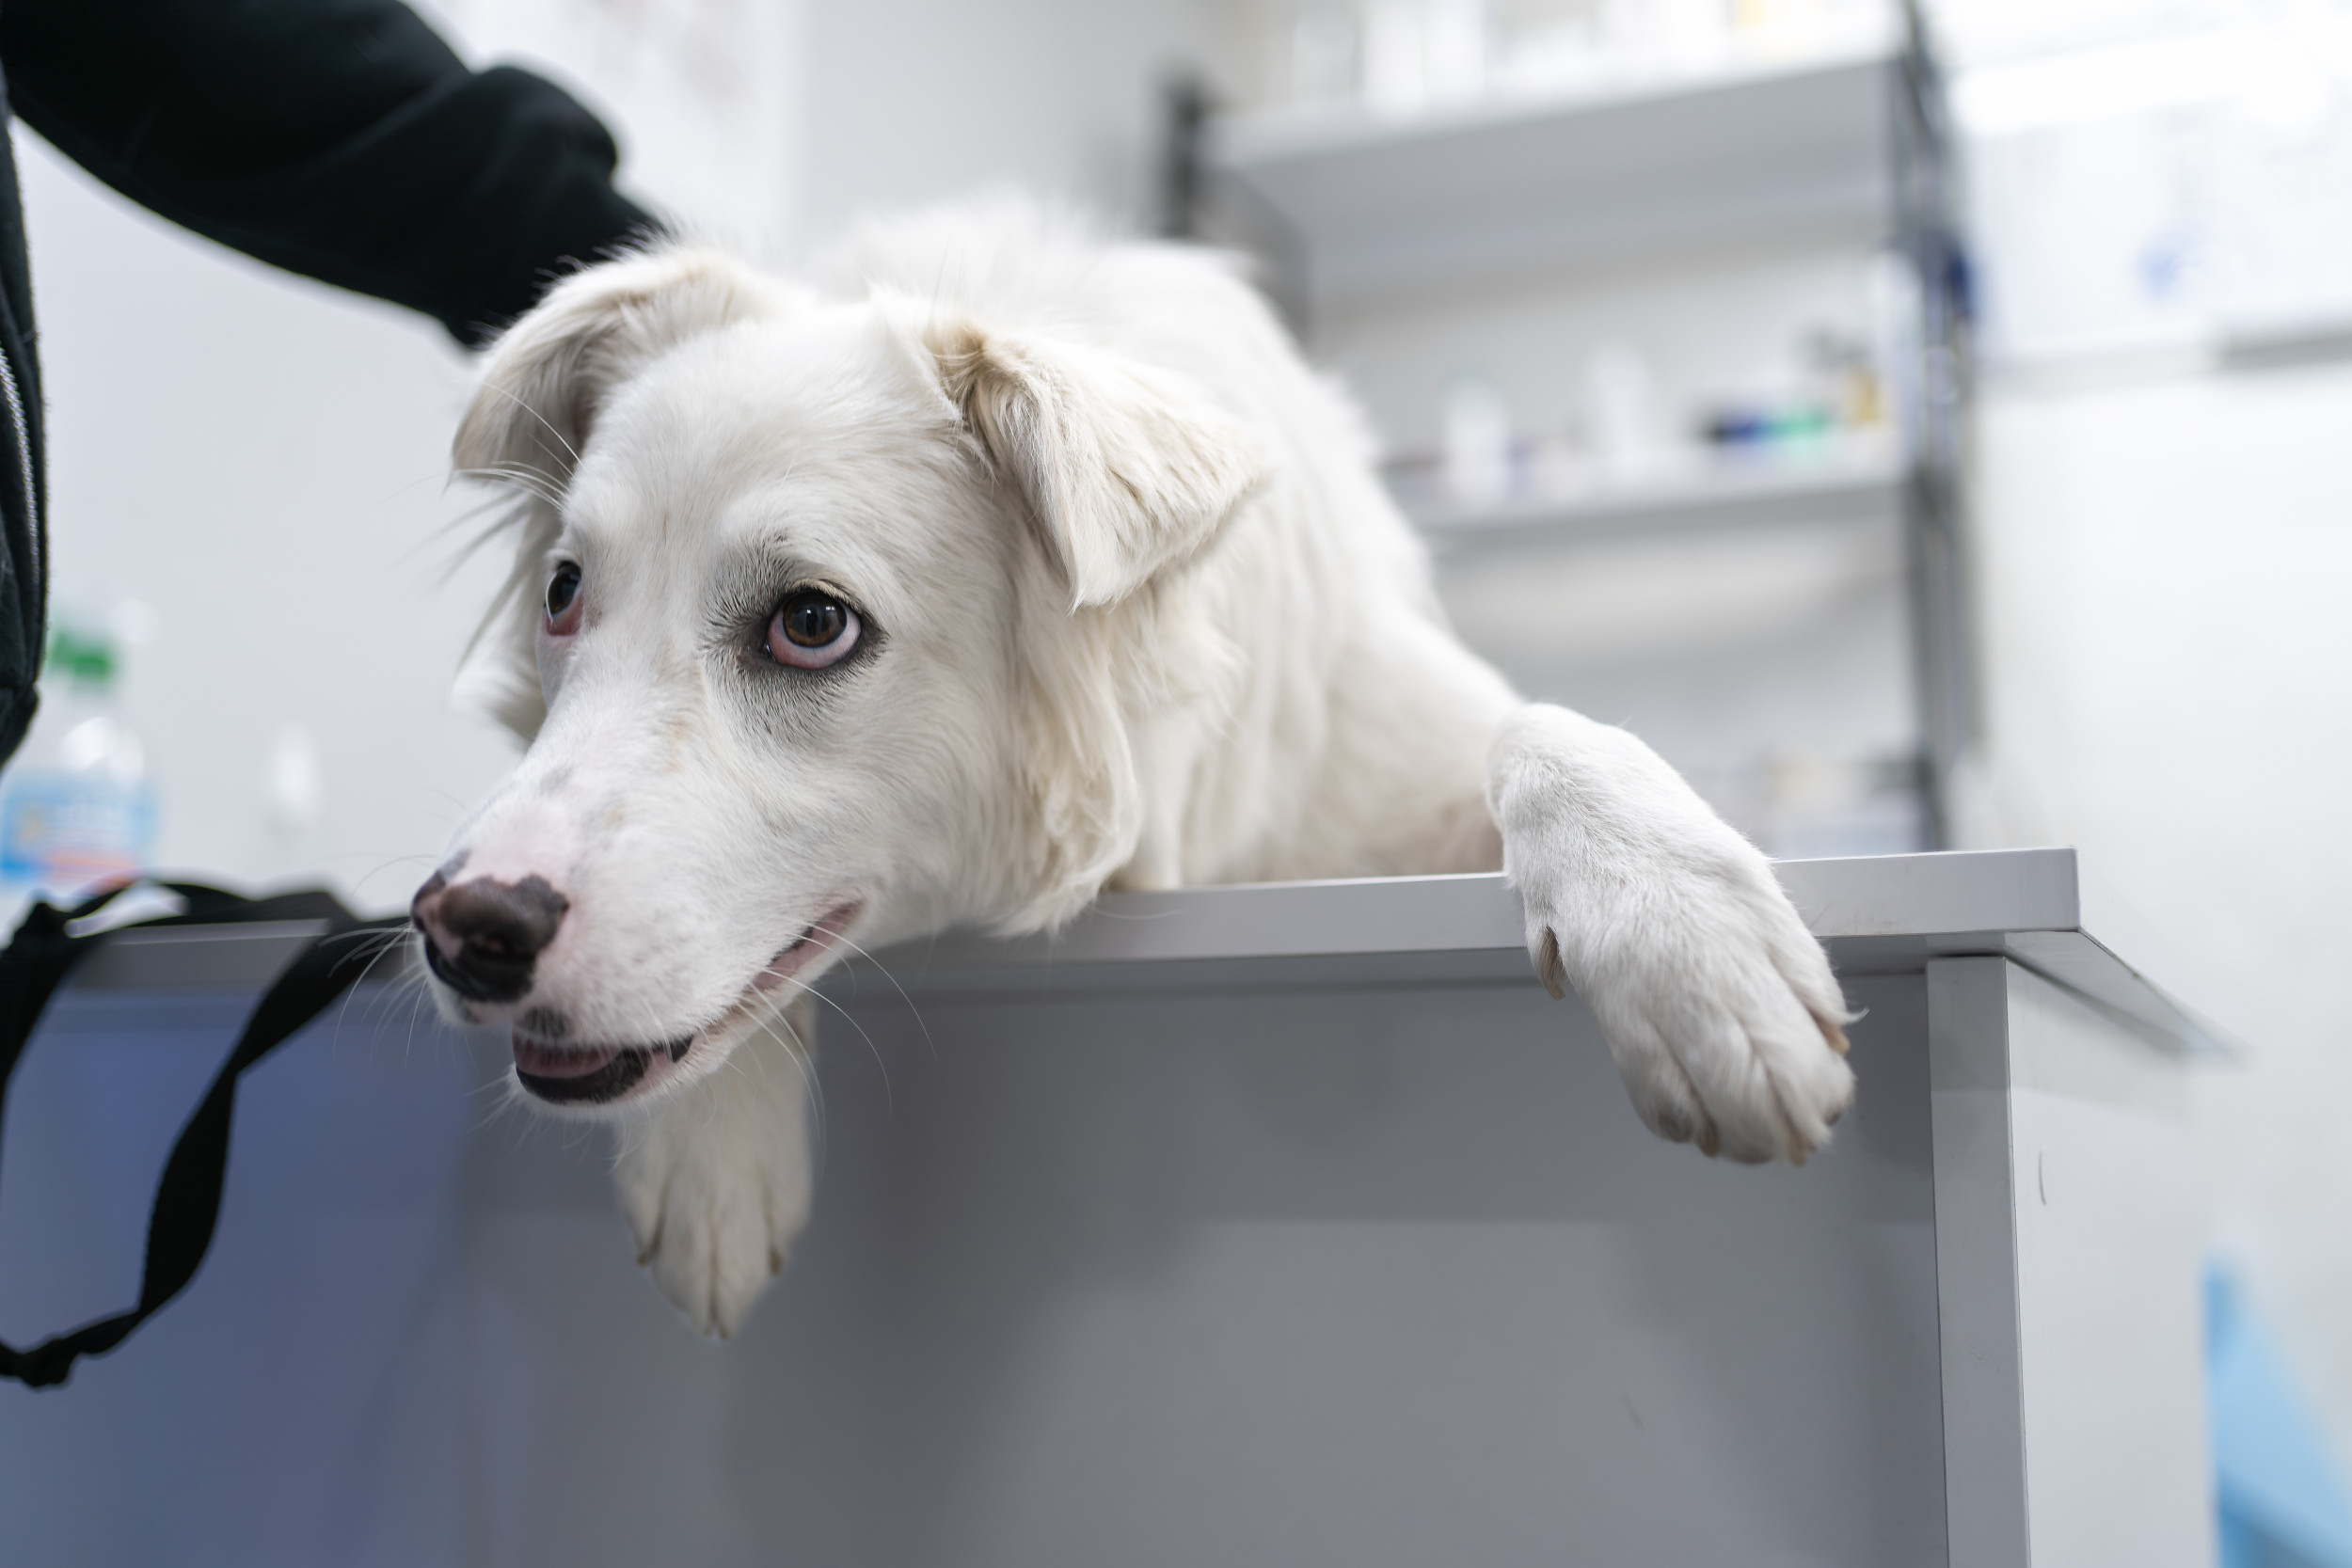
(716, 1181)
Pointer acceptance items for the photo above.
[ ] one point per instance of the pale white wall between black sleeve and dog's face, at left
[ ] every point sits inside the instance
(262, 462)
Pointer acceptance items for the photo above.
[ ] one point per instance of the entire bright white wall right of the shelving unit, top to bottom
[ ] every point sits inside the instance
(2165, 554)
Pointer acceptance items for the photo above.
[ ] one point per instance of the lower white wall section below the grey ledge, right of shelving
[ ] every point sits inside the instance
(2170, 657)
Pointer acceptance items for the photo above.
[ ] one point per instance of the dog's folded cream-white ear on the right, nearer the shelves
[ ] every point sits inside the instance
(1125, 467)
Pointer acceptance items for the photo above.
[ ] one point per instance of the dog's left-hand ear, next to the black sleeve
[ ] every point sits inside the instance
(547, 380)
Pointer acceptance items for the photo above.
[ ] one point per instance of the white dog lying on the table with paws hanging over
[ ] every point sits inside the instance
(1010, 568)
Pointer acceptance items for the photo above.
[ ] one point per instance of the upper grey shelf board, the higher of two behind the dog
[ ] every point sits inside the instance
(1742, 149)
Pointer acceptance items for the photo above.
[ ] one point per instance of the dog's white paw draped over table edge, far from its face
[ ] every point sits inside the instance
(1718, 1005)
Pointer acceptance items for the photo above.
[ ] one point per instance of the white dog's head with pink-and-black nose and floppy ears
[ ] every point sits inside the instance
(829, 608)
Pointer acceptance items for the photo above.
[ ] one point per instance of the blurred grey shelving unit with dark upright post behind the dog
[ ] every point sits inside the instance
(1845, 142)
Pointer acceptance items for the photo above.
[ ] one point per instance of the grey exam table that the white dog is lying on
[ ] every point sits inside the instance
(1236, 1226)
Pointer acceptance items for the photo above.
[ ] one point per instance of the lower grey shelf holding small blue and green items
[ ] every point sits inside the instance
(1864, 481)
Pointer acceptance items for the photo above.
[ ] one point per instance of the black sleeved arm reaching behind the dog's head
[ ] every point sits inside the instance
(333, 138)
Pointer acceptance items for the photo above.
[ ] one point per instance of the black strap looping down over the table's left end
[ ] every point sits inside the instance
(189, 1195)
